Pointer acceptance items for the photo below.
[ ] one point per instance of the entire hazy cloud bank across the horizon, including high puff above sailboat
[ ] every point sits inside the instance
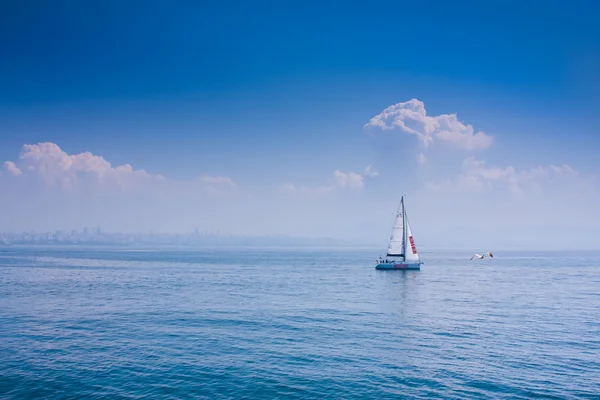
(458, 201)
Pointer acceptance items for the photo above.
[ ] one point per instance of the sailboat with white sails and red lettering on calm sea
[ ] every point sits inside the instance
(402, 252)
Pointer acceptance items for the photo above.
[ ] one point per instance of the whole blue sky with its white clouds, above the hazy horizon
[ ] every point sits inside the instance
(305, 119)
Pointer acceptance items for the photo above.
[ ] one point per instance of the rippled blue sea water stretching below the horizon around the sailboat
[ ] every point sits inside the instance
(296, 323)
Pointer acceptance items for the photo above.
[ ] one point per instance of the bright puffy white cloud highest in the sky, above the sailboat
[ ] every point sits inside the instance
(411, 117)
